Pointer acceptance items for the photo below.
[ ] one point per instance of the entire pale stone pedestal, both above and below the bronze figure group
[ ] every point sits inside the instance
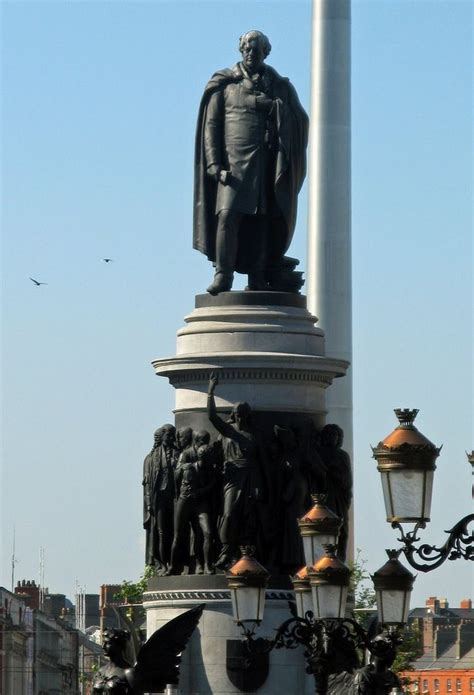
(267, 351)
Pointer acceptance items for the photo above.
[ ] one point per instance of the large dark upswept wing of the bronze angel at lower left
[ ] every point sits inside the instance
(159, 658)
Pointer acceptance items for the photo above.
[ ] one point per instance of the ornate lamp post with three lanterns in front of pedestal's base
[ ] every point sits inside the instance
(331, 641)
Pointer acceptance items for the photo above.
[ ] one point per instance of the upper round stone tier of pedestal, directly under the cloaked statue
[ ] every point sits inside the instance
(267, 351)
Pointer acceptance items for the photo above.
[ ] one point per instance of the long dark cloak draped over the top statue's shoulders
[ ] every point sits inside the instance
(291, 124)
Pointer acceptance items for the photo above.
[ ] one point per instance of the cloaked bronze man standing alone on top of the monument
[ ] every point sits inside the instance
(250, 163)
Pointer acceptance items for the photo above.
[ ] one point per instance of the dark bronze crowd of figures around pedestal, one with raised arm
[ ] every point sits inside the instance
(204, 498)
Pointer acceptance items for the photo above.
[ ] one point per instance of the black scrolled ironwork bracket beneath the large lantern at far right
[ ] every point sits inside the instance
(460, 544)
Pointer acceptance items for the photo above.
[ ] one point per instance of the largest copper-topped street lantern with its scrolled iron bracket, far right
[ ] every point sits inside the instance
(406, 462)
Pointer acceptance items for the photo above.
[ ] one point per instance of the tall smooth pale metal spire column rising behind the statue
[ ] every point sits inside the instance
(329, 274)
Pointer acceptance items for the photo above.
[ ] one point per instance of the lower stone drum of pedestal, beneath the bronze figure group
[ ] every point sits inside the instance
(204, 662)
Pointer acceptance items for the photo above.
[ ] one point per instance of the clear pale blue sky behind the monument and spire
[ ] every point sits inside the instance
(99, 108)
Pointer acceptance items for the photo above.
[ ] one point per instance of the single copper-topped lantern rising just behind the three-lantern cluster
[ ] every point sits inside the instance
(318, 527)
